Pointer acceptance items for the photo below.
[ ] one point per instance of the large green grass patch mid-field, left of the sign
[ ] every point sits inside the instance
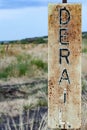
(24, 65)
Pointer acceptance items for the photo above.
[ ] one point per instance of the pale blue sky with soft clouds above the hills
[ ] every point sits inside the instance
(28, 18)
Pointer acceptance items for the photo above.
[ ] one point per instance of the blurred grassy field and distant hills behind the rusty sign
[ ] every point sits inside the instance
(23, 83)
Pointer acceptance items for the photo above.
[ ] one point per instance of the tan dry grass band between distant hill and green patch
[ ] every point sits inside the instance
(37, 50)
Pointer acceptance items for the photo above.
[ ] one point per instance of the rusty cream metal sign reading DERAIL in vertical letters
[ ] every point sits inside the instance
(64, 66)
